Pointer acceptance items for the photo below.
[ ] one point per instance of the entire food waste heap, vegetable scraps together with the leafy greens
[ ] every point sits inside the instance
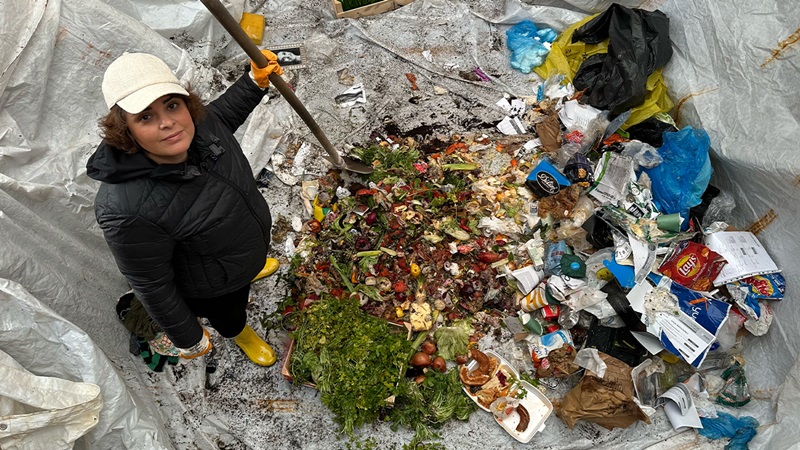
(413, 251)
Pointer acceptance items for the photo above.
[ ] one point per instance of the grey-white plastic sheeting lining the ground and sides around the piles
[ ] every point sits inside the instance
(56, 267)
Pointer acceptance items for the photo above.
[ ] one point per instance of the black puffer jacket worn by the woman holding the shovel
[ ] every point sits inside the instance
(198, 229)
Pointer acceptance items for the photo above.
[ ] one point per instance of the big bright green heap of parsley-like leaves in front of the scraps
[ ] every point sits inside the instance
(354, 359)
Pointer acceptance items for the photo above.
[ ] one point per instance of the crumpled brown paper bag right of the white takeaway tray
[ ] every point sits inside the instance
(606, 401)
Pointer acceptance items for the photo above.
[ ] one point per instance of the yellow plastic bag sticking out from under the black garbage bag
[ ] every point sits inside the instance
(566, 58)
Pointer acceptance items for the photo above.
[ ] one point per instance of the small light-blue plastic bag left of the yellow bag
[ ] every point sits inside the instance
(526, 43)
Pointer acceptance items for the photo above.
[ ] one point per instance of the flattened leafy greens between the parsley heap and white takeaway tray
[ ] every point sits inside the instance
(427, 406)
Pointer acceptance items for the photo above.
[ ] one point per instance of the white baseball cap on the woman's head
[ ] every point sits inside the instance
(134, 80)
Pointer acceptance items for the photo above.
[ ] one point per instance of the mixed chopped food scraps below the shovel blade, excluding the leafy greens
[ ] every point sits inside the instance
(423, 239)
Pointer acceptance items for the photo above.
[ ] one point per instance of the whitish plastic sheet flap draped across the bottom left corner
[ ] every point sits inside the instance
(47, 345)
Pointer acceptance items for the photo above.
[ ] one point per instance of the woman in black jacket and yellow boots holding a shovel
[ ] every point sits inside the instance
(178, 204)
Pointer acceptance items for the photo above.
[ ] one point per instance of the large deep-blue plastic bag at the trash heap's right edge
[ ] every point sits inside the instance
(679, 181)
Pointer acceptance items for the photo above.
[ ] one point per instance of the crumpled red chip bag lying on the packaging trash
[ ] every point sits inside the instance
(693, 265)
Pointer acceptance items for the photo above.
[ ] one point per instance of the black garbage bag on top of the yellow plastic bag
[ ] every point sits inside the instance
(638, 45)
